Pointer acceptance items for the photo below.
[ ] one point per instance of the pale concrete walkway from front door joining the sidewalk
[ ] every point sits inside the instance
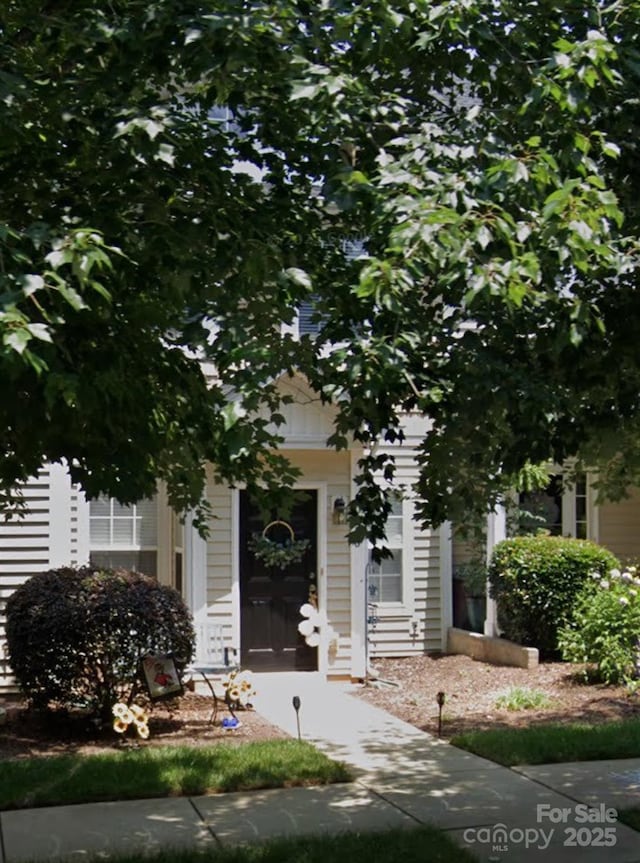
(403, 778)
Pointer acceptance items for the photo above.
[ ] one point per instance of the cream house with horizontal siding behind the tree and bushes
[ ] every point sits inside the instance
(403, 606)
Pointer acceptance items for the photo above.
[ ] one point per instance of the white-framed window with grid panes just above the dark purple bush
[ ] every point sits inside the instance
(124, 536)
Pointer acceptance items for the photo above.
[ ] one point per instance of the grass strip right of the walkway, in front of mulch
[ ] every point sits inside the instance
(546, 744)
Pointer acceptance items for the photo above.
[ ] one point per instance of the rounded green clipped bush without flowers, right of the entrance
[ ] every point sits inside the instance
(536, 580)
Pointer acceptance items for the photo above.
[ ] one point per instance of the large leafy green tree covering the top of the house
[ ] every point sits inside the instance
(486, 150)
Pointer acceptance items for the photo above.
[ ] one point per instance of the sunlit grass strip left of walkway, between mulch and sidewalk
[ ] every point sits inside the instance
(163, 772)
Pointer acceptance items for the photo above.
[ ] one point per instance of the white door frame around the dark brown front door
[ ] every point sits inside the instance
(321, 527)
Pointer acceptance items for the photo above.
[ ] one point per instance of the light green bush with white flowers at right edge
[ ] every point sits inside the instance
(605, 630)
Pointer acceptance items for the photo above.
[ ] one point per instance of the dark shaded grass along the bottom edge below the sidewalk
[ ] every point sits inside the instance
(420, 845)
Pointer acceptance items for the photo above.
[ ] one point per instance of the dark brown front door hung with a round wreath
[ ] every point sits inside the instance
(271, 596)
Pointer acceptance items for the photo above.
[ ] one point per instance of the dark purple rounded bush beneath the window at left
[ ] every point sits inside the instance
(75, 636)
